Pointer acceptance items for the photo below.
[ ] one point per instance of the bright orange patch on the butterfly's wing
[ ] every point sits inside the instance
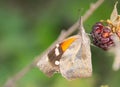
(65, 44)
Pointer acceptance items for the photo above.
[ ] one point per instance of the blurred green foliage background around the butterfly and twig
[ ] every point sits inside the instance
(28, 27)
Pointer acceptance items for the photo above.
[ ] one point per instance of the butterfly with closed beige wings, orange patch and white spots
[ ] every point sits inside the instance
(70, 57)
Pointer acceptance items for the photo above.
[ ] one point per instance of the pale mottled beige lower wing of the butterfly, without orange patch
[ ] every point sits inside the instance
(73, 63)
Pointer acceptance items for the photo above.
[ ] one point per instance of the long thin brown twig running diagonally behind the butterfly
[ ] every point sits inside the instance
(12, 81)
